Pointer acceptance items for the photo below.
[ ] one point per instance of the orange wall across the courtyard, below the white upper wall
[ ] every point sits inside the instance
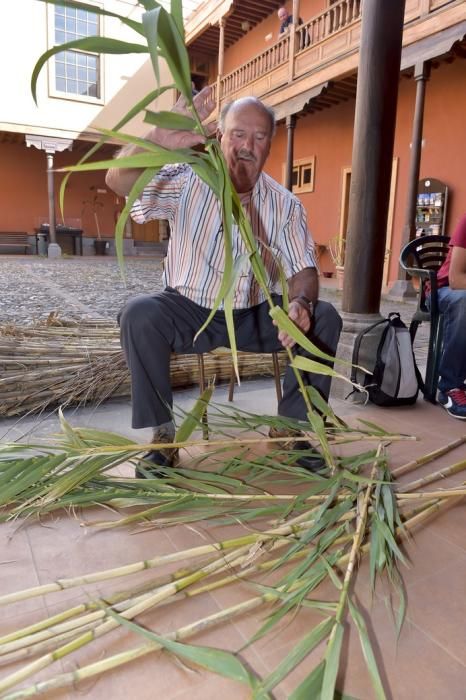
(23, 191)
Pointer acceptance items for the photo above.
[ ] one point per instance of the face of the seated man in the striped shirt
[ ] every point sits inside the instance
(245, 144)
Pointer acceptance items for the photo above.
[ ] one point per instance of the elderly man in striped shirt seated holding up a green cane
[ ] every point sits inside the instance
(152, 327)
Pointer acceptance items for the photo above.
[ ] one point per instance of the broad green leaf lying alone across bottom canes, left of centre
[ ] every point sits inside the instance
(222, 662)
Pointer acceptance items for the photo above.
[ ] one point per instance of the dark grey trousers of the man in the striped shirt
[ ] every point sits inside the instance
(153, 327)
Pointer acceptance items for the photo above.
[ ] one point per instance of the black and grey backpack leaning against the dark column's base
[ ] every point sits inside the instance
(385, 350)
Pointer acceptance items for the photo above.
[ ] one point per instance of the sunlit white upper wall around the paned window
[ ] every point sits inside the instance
(23, 38)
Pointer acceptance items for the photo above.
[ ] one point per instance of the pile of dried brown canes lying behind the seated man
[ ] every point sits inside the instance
(64, 363)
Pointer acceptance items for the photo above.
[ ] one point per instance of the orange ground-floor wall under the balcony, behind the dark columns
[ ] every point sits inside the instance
(328, 135)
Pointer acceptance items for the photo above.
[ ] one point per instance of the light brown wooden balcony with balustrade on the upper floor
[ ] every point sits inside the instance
(326, 48)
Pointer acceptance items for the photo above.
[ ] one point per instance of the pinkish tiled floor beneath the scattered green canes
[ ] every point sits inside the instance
(428, 660)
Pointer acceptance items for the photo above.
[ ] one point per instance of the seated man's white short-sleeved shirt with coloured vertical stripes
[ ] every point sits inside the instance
(195, 259)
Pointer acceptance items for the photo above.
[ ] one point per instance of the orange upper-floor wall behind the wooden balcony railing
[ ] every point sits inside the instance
(254, 41)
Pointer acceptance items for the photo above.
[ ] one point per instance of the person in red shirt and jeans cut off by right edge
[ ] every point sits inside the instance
(451, 280)
